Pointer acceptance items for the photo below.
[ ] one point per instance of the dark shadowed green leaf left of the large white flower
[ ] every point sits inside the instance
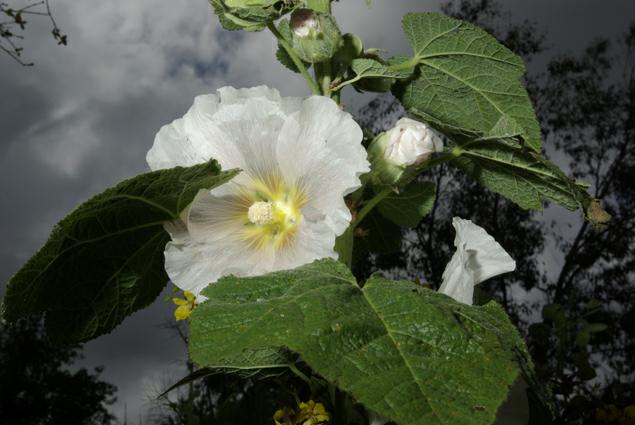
(105, 259)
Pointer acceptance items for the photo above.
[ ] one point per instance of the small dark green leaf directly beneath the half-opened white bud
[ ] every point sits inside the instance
(409, 206)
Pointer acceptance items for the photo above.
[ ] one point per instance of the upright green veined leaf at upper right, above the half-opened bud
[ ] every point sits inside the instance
(466, 83)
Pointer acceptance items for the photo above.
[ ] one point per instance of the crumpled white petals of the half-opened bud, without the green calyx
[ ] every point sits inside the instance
(411, 142)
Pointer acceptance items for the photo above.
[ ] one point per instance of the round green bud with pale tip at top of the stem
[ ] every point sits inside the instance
(316, 36)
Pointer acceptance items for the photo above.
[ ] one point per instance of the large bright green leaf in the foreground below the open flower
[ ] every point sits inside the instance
(413, 355)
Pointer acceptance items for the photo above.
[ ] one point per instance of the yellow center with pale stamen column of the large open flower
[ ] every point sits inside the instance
(272, 213)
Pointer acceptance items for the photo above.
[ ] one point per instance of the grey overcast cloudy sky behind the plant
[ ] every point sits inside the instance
(85, 115)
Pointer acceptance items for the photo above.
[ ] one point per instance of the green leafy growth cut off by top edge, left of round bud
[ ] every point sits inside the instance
(251, 15)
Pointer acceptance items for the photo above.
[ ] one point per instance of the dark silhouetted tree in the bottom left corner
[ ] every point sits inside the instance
(38, 385)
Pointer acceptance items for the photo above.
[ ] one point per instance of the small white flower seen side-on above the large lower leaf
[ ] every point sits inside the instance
(478, 257)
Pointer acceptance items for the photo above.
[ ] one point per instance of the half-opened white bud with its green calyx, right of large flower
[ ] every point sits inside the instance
(405, 146)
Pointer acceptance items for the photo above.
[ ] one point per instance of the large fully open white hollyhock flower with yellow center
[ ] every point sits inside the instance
(299, 157)
